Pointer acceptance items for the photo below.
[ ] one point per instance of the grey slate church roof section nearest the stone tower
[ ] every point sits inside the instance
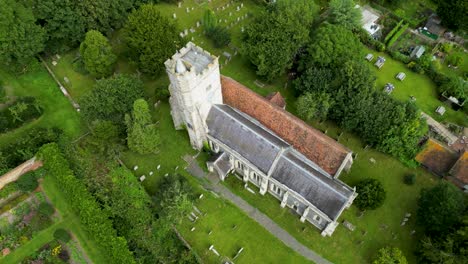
(245, 136)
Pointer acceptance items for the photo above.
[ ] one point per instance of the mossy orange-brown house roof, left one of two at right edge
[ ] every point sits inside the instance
(436, 157)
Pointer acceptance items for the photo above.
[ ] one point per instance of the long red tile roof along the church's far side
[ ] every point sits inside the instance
(316, 146)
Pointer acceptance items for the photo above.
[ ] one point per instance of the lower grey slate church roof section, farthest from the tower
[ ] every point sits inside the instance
(325, 193)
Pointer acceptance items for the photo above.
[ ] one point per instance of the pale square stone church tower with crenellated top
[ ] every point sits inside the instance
(195, 87)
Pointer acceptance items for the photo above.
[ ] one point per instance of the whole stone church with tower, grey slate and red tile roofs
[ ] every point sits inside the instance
(254, 138)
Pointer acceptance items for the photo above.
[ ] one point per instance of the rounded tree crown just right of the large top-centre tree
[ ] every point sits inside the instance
(332, 45)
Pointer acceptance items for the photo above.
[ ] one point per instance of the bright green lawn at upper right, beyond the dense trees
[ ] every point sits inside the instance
(417, 85)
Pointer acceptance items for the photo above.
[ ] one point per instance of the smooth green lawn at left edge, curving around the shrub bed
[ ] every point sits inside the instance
(58, 111)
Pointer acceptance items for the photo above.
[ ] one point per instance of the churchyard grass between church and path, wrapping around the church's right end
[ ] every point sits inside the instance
(346, 246)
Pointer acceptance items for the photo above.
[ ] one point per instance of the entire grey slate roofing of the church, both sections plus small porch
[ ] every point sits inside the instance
(246, 136)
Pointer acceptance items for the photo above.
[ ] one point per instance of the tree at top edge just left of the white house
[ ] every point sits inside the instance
(344, 13)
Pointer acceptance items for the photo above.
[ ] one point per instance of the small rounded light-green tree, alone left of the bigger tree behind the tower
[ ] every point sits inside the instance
(98, 58)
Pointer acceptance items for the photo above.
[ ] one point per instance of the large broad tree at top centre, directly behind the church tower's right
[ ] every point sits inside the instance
(274, 37)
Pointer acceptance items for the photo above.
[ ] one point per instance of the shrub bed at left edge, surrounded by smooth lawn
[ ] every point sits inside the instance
(24, 109)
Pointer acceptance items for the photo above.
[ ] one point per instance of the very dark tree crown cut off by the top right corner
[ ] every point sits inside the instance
(453, 13)
